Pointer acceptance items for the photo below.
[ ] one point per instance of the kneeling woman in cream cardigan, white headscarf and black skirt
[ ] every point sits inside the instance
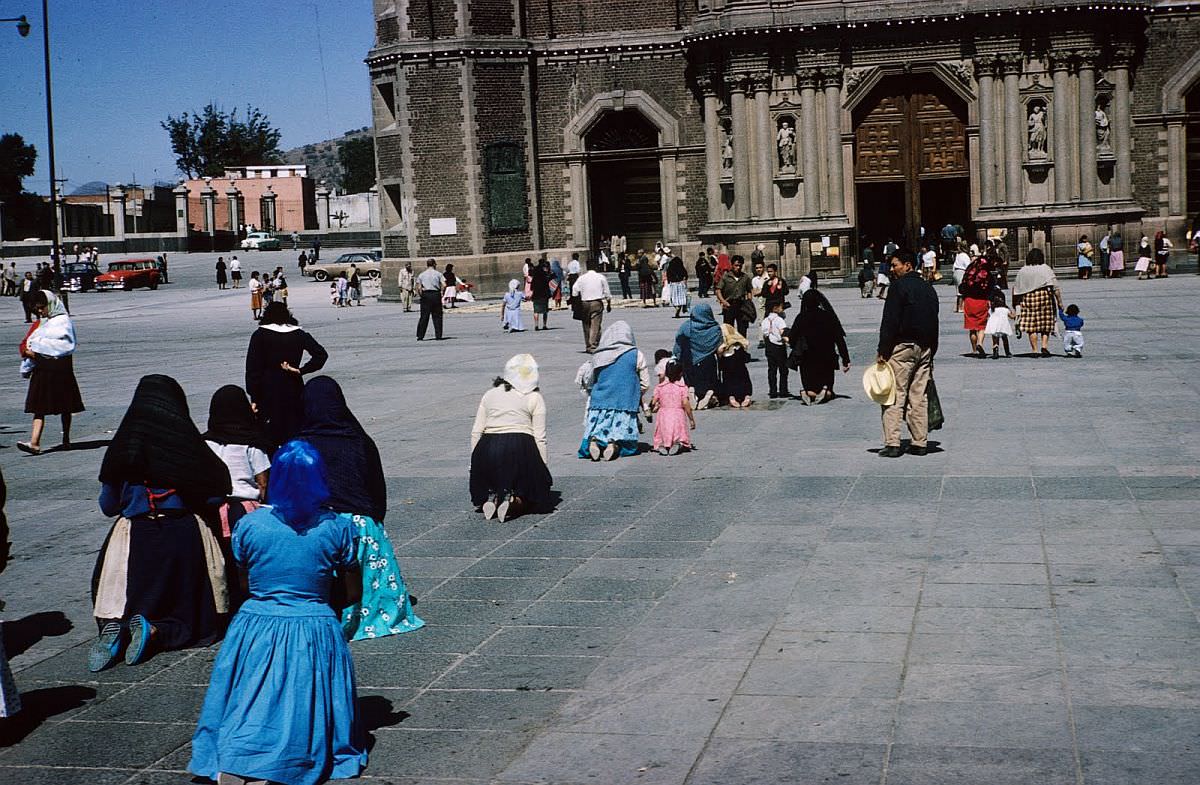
(508, 445)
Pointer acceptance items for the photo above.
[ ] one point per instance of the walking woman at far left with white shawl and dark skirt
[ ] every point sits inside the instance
(47, 356)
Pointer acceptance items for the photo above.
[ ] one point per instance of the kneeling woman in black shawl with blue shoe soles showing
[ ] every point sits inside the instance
(160, 580)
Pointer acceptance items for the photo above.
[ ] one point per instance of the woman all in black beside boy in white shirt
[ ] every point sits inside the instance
(818, 343)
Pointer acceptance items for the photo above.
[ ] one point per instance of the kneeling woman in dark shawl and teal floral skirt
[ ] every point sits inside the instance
(358, 492)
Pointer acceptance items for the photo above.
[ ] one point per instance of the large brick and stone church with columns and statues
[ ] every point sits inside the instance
(511, 128)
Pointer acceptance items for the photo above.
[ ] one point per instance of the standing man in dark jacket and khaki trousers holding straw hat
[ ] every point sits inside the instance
(908, 344)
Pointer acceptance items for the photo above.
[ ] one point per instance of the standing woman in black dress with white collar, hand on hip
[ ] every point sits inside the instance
(274, 374)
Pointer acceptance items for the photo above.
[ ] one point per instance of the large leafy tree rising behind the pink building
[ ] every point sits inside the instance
(209, 141)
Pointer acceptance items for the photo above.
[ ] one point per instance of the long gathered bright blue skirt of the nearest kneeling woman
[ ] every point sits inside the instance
(281, 704)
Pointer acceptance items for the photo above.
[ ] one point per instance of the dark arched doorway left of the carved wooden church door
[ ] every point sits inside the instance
(623, 178)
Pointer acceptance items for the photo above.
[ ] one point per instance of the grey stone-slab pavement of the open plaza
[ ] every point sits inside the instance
(779, 607)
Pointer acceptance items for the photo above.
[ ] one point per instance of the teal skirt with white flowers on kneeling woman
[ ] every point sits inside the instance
(386, 608)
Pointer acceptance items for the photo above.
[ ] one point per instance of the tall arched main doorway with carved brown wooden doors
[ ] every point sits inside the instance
(911, 165)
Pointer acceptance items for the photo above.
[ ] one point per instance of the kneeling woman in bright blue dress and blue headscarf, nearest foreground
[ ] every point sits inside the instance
(281, 703)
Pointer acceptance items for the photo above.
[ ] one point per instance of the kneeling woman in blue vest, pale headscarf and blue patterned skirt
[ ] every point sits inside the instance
(616, 379)
